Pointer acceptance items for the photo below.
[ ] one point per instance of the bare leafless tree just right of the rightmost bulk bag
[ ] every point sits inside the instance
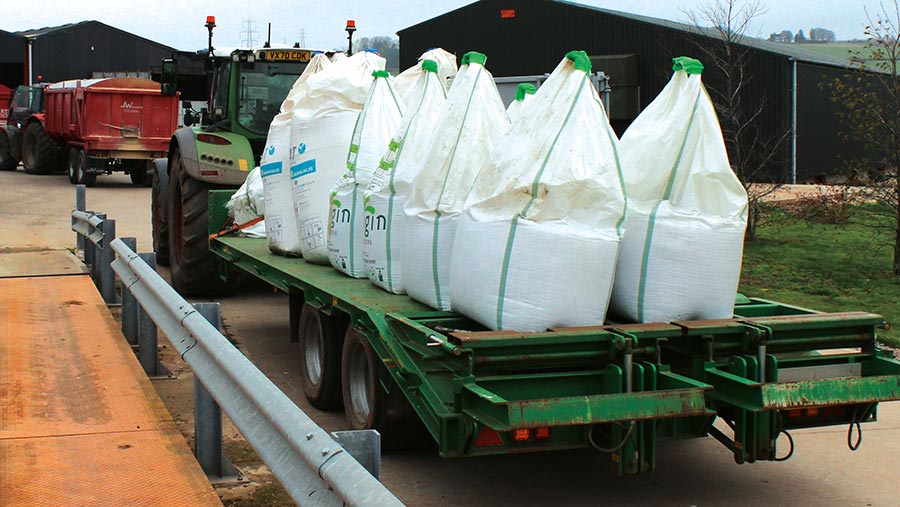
(725, 48)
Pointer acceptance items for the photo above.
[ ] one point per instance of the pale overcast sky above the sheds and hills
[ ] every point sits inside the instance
(323, 21)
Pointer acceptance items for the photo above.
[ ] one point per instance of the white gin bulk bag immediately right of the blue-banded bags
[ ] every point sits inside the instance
(380, 117)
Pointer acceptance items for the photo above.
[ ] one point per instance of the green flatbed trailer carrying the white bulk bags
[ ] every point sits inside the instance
(619, 388)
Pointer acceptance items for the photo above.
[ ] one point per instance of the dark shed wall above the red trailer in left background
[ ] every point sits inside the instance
(78, 51)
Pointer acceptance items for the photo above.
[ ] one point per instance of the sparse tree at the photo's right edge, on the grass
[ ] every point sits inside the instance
(871, 113)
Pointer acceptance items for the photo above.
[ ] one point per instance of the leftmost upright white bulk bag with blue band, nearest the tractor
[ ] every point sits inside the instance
(281, 226)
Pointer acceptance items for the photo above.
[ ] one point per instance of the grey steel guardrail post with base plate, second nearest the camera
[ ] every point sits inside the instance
(208, 418)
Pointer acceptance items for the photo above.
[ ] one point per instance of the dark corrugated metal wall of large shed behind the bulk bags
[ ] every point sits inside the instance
(542, 31)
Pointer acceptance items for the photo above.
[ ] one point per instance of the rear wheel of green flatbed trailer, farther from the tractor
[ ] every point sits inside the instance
(366, 403)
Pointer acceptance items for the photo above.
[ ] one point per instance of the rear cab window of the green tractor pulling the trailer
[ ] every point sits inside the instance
(262, 89)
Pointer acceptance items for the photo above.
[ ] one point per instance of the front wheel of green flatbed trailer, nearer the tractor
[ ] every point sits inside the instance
(320, 357)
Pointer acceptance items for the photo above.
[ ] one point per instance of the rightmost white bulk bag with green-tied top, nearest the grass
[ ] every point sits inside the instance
(681, 254)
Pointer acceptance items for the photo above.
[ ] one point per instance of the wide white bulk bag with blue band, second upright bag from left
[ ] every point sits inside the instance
(321, 130)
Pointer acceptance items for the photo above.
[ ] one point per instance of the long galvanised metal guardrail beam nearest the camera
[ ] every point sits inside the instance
(311, 465)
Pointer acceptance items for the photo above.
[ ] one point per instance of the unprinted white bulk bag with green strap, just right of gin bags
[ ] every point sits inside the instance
(471, 123)
